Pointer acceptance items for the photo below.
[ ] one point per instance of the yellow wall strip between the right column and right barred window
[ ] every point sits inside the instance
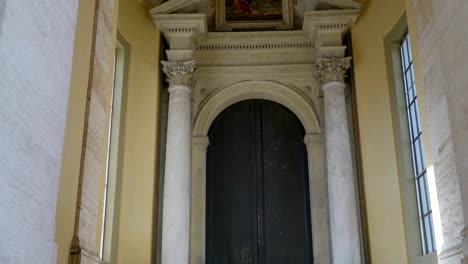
(379, 164)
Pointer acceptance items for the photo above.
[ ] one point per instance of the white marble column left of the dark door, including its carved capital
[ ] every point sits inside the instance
(176, 200)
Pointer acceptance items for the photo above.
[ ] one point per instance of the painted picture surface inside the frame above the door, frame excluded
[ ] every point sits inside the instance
(253, 10)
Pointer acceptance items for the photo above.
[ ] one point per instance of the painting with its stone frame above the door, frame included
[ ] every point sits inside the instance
(253, 14)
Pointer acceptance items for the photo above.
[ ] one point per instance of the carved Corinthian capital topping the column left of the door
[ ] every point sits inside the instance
(180, 72)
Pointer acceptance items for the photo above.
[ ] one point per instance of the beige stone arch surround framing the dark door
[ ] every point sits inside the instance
(304, 109)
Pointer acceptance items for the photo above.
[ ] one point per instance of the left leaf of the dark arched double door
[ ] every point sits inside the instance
(231, 206)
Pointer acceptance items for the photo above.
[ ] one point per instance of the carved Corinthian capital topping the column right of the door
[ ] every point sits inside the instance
(331, 69)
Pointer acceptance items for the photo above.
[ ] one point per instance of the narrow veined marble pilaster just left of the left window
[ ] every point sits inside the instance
(84, 246)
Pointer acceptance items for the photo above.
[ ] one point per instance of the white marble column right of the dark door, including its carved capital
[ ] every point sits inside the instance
(345, 233)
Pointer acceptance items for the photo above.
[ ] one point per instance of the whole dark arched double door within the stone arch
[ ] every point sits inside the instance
(258, 209)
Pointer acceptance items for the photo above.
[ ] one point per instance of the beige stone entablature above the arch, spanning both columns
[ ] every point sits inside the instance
(225, 58)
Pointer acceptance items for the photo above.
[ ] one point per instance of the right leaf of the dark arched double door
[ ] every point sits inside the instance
(285, 185)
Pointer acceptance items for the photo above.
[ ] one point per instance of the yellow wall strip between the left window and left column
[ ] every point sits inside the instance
(138, 198)
